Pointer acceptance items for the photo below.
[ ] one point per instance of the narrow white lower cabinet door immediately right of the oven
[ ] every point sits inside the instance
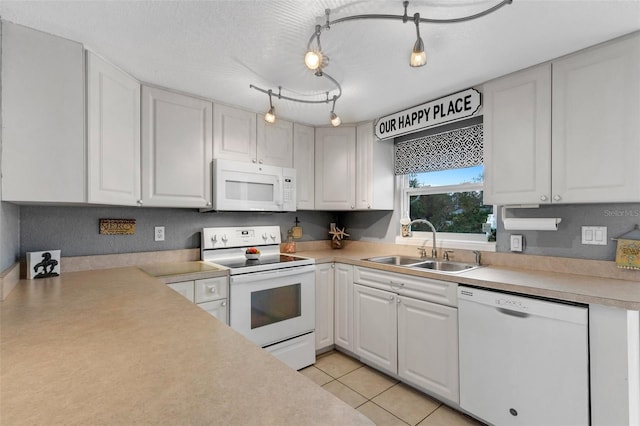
(324, 305)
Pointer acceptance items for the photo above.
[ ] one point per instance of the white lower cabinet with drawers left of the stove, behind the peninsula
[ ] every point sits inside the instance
(210, 294)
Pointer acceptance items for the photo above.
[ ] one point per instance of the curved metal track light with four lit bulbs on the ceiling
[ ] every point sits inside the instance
(316, 60)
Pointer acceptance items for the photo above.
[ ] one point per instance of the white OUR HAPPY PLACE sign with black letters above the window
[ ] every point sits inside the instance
(433, 113)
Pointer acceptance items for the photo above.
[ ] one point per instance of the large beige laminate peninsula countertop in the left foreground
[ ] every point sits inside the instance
(119, 347)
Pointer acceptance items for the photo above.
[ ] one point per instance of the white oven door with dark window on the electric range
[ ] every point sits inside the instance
(269, 307)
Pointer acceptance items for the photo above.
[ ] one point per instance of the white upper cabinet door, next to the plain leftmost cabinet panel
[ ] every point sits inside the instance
(113, 134)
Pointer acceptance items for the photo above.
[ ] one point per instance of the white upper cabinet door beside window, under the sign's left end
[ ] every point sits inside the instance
(374, 170)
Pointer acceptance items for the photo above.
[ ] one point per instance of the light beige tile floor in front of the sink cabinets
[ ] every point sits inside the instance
(379, 397)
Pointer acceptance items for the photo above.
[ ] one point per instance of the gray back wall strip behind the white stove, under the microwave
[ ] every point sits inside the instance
(74, 230)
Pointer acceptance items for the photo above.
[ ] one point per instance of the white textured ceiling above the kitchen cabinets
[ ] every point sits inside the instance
(216, 49)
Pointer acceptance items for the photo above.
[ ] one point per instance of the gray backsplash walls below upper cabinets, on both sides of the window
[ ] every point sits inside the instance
(74, 230)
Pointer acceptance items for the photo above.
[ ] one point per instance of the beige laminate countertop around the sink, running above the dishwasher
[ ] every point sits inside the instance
(570, 287)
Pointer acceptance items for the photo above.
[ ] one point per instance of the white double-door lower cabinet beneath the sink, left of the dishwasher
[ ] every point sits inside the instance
(407, 326)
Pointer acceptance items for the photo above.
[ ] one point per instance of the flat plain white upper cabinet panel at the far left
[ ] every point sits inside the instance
(43, 131)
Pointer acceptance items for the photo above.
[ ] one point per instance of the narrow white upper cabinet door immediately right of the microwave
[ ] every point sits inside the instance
(304, 163)
